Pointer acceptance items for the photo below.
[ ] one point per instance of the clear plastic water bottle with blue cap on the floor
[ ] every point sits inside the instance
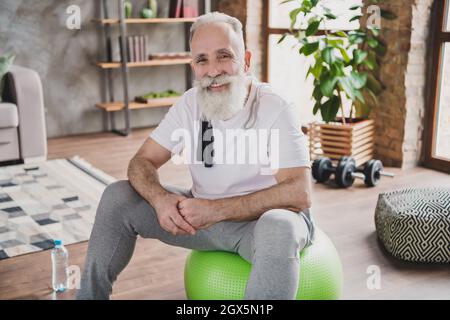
(60, 262)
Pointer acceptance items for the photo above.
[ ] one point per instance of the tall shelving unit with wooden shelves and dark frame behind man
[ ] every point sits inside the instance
(108, 67)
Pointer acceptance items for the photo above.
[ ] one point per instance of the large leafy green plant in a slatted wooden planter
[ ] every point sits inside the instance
(345, 66)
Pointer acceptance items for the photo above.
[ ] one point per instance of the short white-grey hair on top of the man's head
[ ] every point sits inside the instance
(216, 18)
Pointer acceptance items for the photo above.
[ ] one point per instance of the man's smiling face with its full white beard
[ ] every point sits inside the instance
(219, 62)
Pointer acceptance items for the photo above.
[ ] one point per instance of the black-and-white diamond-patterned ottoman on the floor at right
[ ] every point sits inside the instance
(414, 224)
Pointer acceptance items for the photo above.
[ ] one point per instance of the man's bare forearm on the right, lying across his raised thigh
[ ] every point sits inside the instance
(290, 194)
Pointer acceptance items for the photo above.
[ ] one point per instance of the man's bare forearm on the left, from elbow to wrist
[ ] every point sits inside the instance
(143, 176)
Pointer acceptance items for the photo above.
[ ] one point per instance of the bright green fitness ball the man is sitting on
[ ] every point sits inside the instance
(220, 275)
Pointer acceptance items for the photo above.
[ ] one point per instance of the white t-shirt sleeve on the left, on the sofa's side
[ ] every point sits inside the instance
(166, 131)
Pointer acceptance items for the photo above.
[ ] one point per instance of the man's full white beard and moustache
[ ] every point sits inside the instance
(225, 104)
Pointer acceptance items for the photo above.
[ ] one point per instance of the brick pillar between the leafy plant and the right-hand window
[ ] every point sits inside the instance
(400, 114)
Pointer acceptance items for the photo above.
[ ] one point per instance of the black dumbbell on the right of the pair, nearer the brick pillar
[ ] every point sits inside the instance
(348, 172)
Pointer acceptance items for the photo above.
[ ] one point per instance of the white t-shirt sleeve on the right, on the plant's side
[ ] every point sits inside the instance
(290, 149)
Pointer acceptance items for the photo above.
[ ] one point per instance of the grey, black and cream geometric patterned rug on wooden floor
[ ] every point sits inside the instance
(55, 199)
